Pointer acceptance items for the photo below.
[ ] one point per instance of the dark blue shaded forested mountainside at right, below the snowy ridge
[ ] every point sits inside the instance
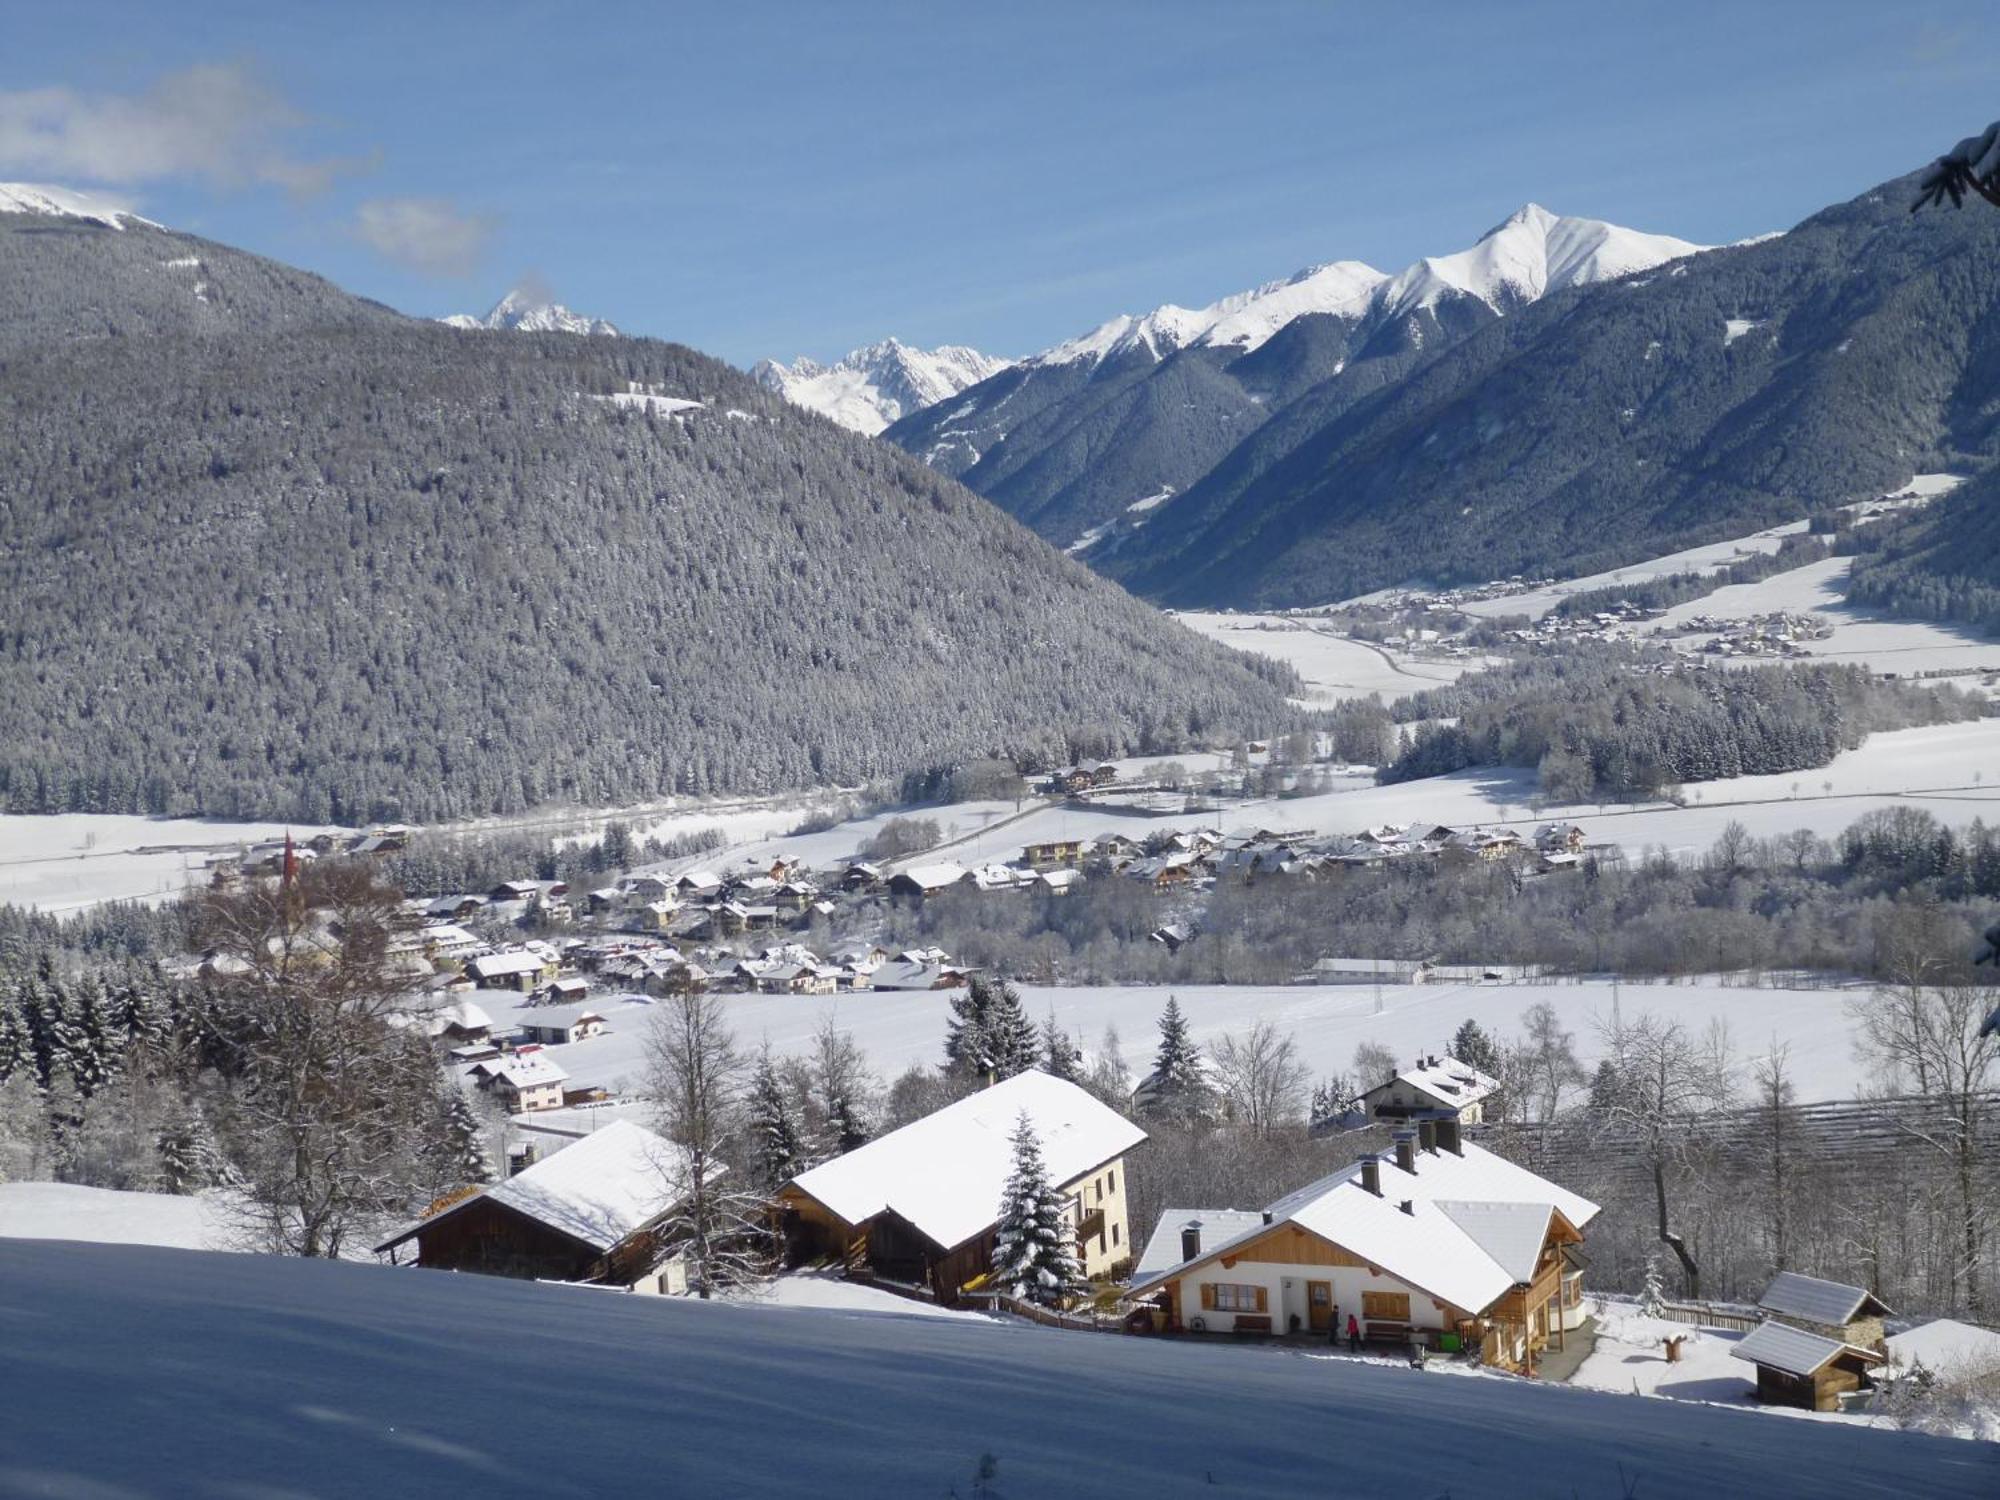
(1713, 397)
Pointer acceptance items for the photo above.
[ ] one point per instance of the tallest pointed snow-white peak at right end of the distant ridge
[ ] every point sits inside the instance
(1527, 257)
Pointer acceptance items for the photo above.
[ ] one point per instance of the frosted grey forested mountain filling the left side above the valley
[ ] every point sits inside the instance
(285, 553)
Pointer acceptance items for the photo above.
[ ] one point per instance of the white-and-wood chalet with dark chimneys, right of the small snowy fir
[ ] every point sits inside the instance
(1439, 1245)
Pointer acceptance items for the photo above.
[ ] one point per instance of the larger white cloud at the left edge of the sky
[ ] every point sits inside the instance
(217, 123)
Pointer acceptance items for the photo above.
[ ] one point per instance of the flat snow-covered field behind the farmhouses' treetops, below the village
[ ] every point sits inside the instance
(901, 1029)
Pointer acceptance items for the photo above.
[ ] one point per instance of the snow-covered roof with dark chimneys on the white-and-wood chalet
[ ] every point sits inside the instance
(1431, 1247)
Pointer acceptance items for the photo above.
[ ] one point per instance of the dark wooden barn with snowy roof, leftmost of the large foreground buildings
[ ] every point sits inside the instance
(591, 1213)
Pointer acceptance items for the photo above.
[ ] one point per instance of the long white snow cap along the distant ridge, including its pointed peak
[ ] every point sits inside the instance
(1515, 263)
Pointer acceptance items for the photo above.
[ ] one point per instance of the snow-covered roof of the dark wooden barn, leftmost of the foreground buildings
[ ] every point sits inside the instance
(599, 1191)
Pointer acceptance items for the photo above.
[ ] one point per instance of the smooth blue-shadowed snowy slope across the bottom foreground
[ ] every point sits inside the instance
(357, 1381)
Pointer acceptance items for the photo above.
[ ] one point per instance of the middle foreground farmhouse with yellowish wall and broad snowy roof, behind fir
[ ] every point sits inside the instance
(921, 1205)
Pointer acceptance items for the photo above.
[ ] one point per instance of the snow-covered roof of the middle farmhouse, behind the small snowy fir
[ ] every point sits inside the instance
(947, 1171)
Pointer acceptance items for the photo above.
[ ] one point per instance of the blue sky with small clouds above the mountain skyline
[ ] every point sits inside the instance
(779, 179)
